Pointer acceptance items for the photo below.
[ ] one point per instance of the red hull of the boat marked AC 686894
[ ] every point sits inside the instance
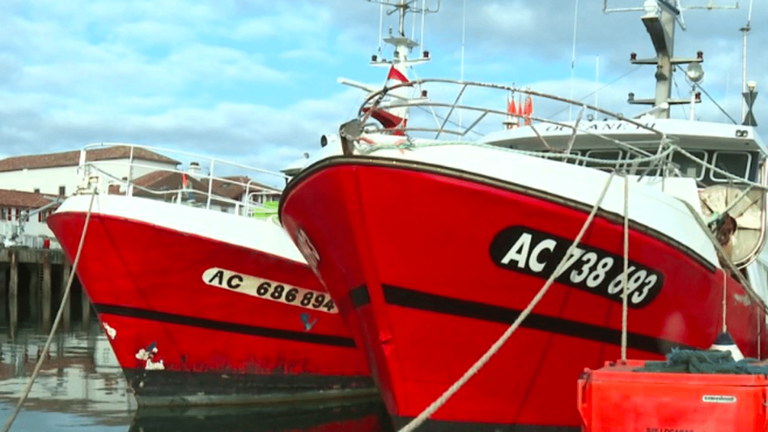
(159, 297)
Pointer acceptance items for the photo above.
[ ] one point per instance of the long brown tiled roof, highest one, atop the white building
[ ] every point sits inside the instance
(72, 158)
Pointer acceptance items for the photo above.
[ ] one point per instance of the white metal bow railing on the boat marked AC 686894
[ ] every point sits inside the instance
(157, 173)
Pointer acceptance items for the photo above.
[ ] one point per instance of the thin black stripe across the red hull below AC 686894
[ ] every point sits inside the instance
(224, 326)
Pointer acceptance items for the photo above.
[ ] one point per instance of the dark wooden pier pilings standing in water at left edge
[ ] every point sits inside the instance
(32, 283)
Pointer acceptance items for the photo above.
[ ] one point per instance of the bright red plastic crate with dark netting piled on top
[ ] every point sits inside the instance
(616, 398)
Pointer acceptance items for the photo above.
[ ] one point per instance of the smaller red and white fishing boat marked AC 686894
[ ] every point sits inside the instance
(202, 300)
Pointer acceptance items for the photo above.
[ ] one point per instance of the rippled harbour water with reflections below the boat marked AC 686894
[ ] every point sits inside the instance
(81, 386)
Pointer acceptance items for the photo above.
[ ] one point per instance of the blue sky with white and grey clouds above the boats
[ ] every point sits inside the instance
(255, 80)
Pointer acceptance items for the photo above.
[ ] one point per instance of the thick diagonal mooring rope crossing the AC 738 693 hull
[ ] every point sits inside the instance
(421, 418)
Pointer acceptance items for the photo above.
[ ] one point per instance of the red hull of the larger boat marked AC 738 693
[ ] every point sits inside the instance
(430, 266)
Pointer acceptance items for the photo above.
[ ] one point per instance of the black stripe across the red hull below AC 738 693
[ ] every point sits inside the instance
(413, 299)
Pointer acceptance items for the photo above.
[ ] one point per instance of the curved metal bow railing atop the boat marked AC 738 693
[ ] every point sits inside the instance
(503, 116)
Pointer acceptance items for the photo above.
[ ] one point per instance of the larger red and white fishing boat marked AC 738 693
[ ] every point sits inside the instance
(432, 248)
